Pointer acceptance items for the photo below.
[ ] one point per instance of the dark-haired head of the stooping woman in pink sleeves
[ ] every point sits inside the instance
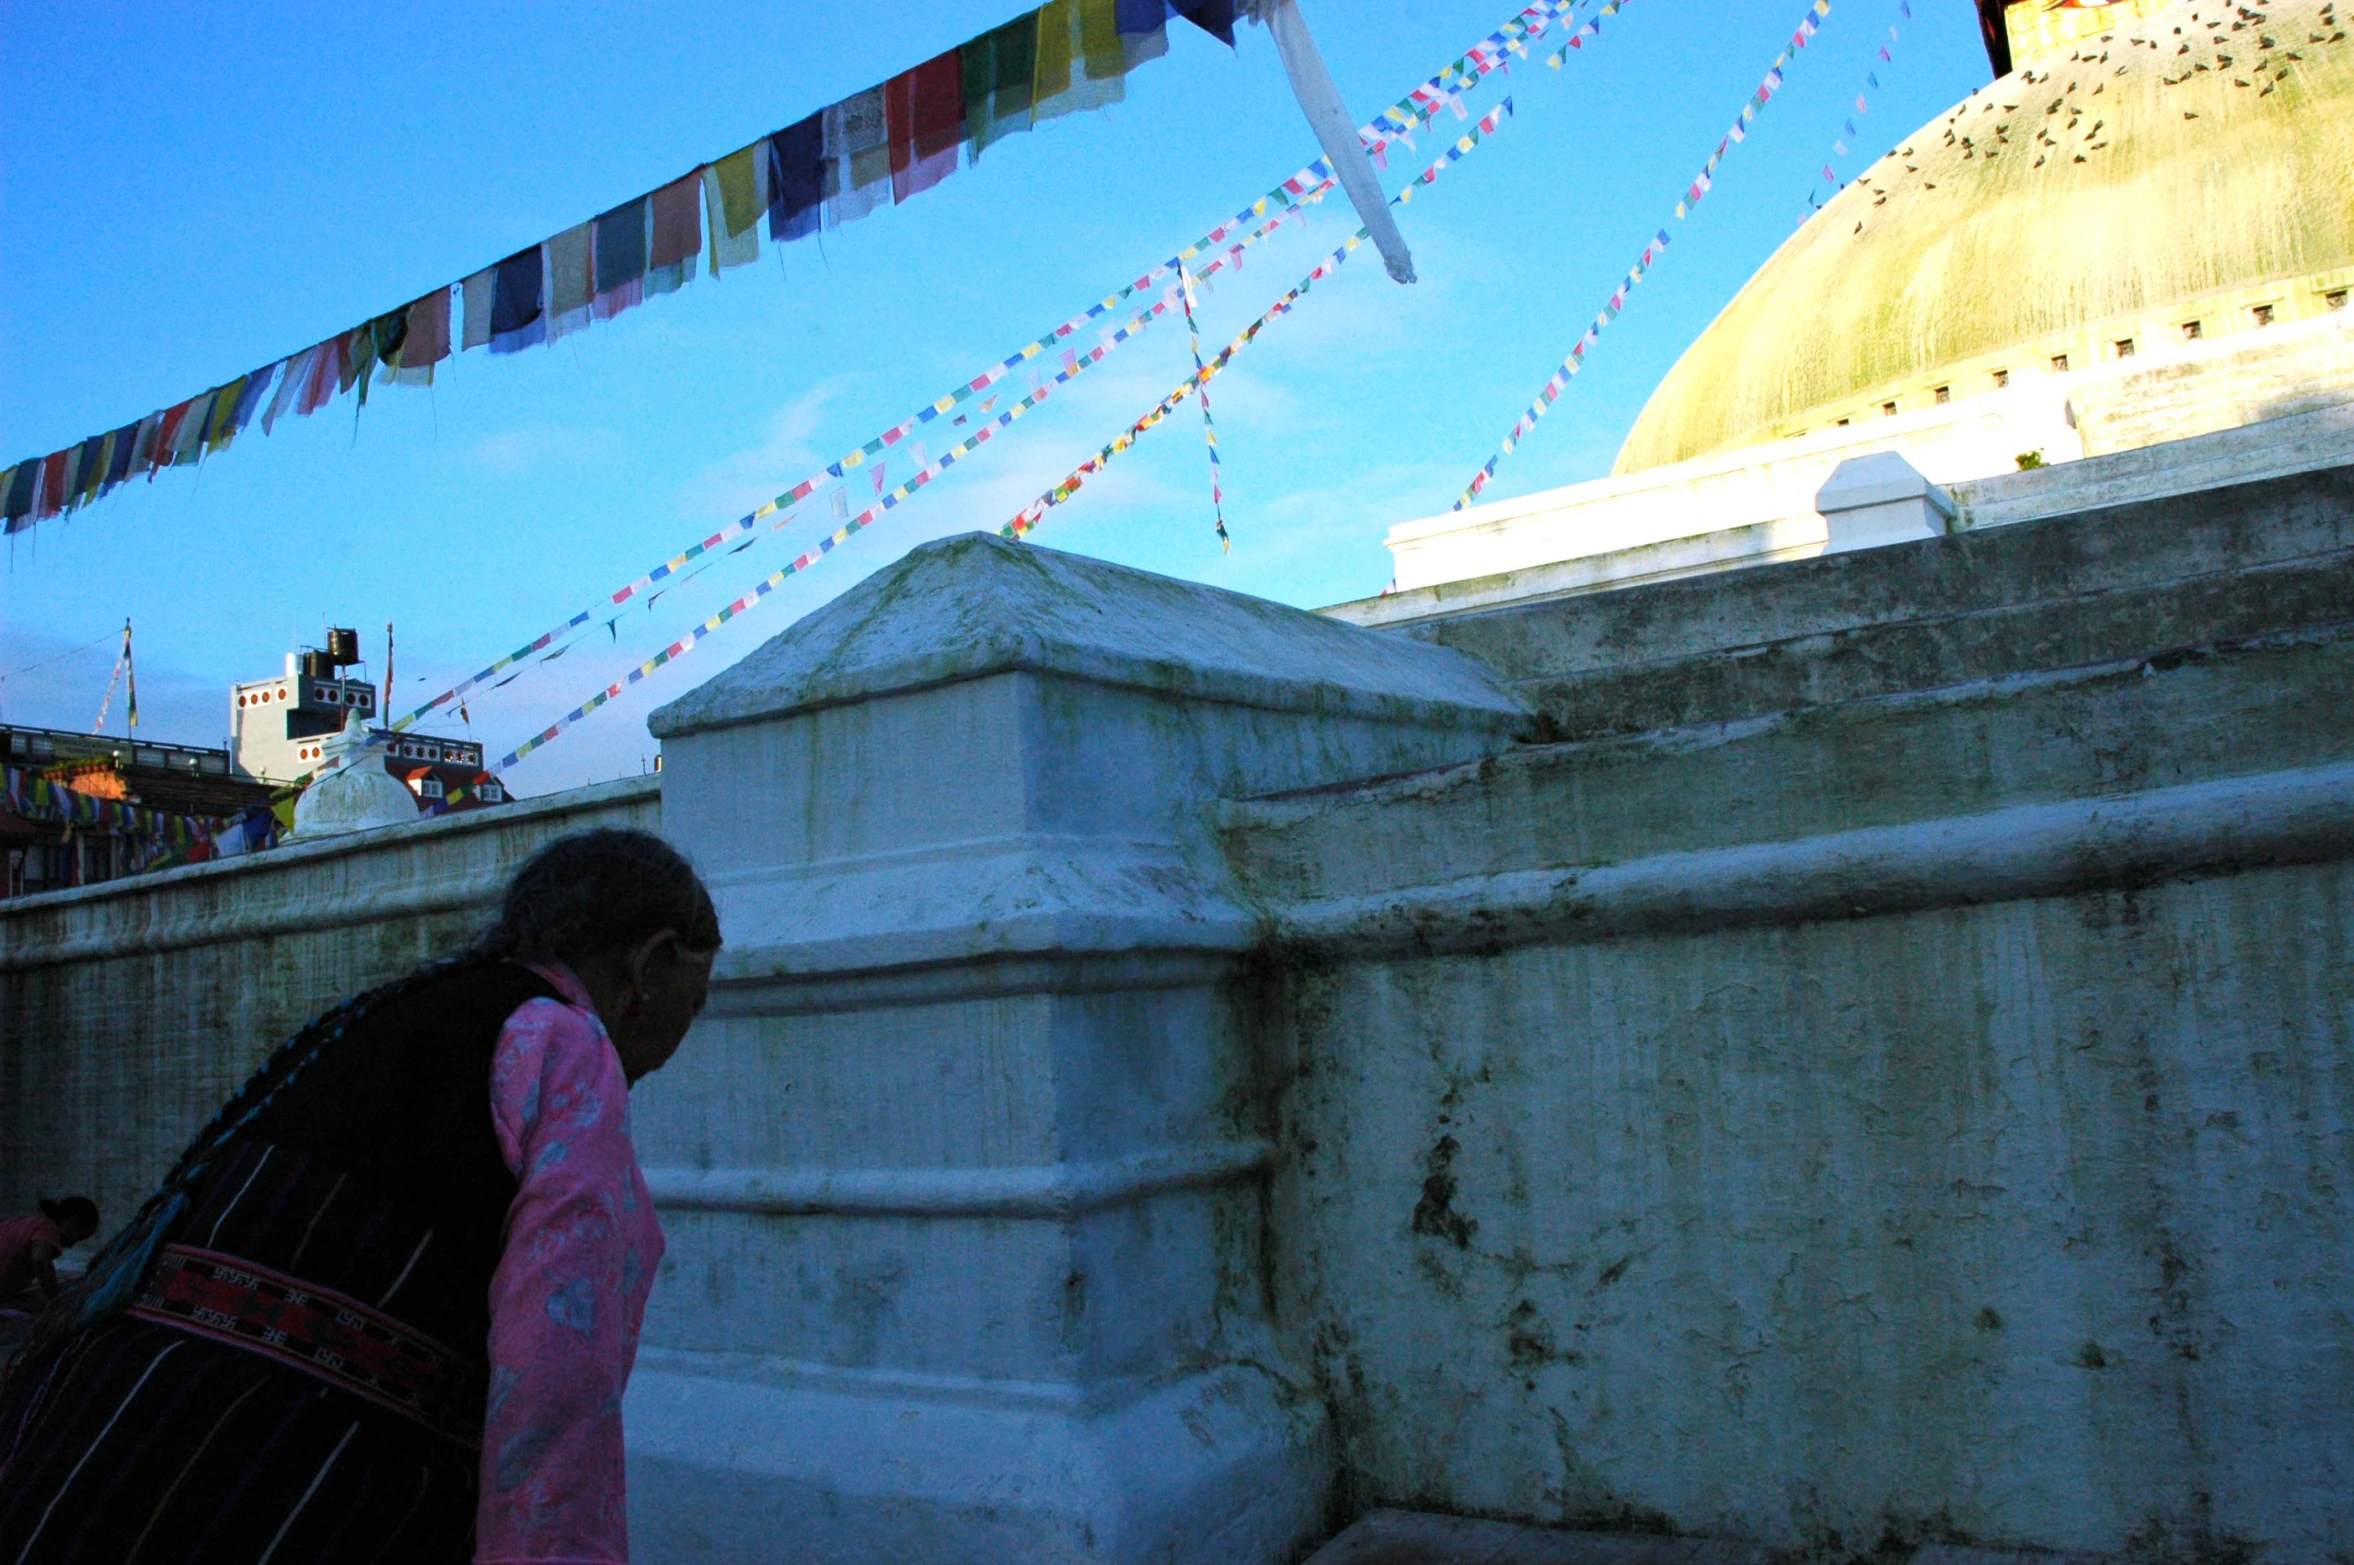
(627, 914)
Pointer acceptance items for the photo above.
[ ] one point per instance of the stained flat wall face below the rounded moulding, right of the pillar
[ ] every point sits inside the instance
(2009, 1225)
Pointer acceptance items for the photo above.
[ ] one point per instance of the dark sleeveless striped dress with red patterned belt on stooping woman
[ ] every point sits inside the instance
(286, 1357)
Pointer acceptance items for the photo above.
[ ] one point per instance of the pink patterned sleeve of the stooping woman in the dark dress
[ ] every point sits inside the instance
(571, 1291)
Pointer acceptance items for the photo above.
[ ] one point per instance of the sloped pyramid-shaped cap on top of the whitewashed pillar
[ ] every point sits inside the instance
(973, 606)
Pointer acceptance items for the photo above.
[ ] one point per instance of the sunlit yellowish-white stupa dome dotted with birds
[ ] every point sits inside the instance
(2186, 175)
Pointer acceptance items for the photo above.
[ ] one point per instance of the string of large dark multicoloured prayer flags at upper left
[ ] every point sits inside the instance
(837, 166)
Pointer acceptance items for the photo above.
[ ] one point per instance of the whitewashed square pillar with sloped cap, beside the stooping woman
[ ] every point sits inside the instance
(964, 1168)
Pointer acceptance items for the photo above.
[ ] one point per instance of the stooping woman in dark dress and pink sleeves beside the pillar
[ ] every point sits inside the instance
(387, 1303)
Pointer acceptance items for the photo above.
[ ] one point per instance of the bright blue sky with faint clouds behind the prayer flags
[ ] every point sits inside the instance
(189, 192)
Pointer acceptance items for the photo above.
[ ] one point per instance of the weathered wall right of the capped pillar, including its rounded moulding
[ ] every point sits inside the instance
(1910, 1119)
